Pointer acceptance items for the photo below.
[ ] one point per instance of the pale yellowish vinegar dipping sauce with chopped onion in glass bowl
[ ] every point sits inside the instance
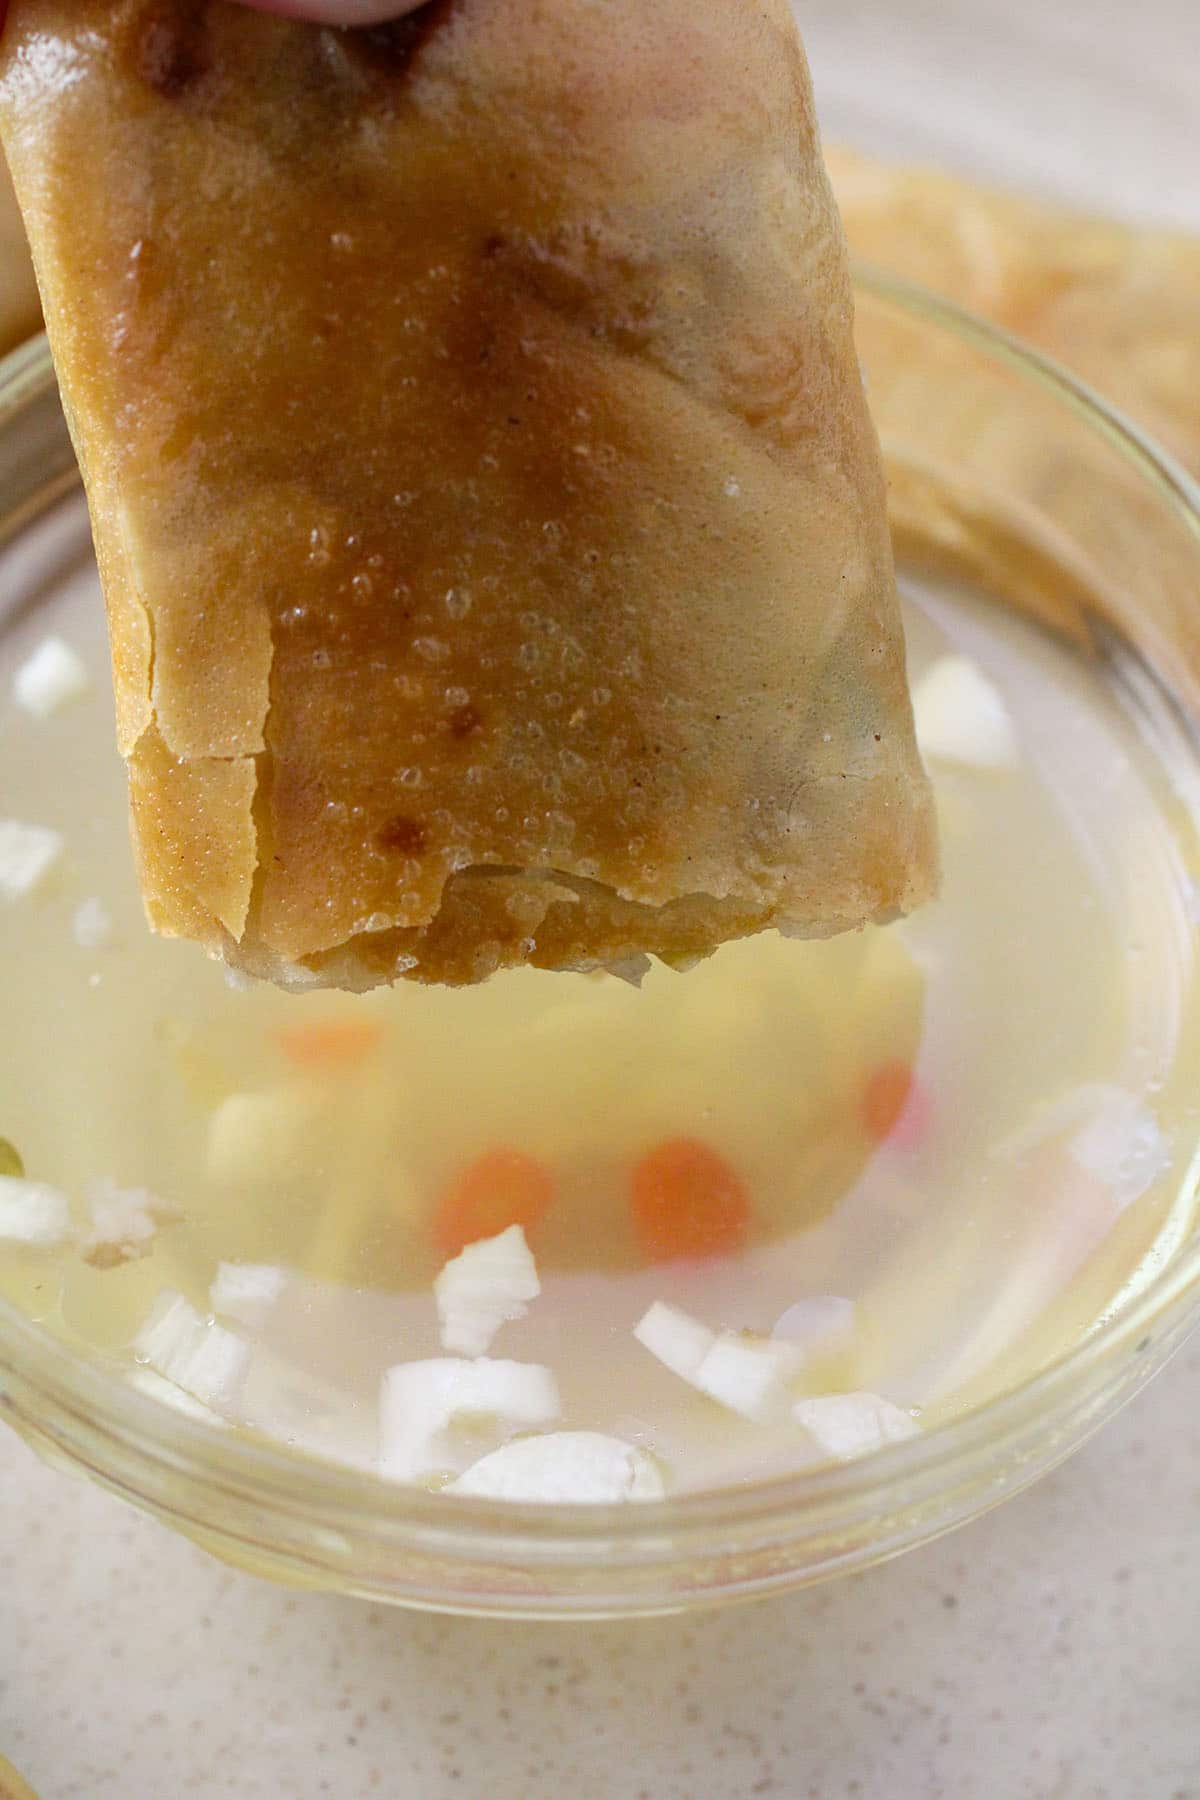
(929, 1158)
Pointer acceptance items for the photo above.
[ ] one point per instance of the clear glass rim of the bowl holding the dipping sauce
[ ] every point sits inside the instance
(341, 1527)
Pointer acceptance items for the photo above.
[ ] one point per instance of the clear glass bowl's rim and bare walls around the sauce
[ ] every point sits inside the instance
(1007, 472)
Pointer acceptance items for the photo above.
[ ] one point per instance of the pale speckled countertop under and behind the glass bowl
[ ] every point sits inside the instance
(1050, 1651)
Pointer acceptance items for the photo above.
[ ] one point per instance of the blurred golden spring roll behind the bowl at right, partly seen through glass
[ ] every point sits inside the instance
(1059, 523)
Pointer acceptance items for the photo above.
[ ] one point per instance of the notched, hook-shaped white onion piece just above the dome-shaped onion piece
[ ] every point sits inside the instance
(424, 1405)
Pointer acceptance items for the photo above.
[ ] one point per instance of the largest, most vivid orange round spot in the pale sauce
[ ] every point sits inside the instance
(688, 1201)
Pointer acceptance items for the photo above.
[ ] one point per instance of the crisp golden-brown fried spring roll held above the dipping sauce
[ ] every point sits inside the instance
(488, 512)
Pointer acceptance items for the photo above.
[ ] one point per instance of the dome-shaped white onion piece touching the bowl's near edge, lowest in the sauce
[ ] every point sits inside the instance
(587, 1468)
